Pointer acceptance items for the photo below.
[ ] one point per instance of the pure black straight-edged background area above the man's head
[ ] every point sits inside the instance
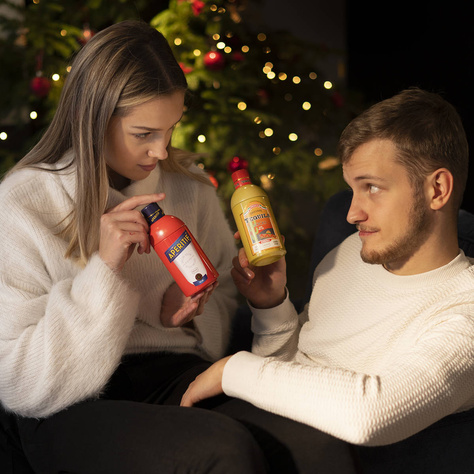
(403, 44)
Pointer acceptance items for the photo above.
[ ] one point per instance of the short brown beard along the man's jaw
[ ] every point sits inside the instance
(406, 245)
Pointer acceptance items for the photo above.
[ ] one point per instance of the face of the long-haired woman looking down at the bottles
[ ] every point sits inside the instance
(136, 142)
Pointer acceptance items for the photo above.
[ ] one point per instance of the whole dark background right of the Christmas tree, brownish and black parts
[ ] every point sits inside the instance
(389, 45)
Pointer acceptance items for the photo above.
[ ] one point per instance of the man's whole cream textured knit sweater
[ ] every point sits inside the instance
(378, 358)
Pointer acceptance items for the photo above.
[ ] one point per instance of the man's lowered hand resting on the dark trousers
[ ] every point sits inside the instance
(206, 385)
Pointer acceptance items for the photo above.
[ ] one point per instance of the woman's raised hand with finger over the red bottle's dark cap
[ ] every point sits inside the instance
(122, 228)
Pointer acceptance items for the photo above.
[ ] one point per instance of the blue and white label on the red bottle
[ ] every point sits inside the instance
(185, 256)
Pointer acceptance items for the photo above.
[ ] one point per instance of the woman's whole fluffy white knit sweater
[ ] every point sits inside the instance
(64, 329)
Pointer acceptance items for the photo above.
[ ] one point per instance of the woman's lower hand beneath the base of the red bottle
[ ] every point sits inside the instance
(177, 309)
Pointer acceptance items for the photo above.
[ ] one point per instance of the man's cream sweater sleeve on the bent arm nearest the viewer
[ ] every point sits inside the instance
(432, 380)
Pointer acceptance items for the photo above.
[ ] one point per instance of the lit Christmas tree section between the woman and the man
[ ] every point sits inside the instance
(258, 101)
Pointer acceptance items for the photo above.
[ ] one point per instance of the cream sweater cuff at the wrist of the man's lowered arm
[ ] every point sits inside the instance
(241, 372)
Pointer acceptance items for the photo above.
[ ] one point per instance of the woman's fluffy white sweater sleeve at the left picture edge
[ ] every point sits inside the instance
(63, 329)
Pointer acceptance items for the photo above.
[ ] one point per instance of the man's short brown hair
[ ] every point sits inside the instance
(425, 128)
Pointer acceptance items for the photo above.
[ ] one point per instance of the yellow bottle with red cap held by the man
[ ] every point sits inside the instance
(255, 221)
